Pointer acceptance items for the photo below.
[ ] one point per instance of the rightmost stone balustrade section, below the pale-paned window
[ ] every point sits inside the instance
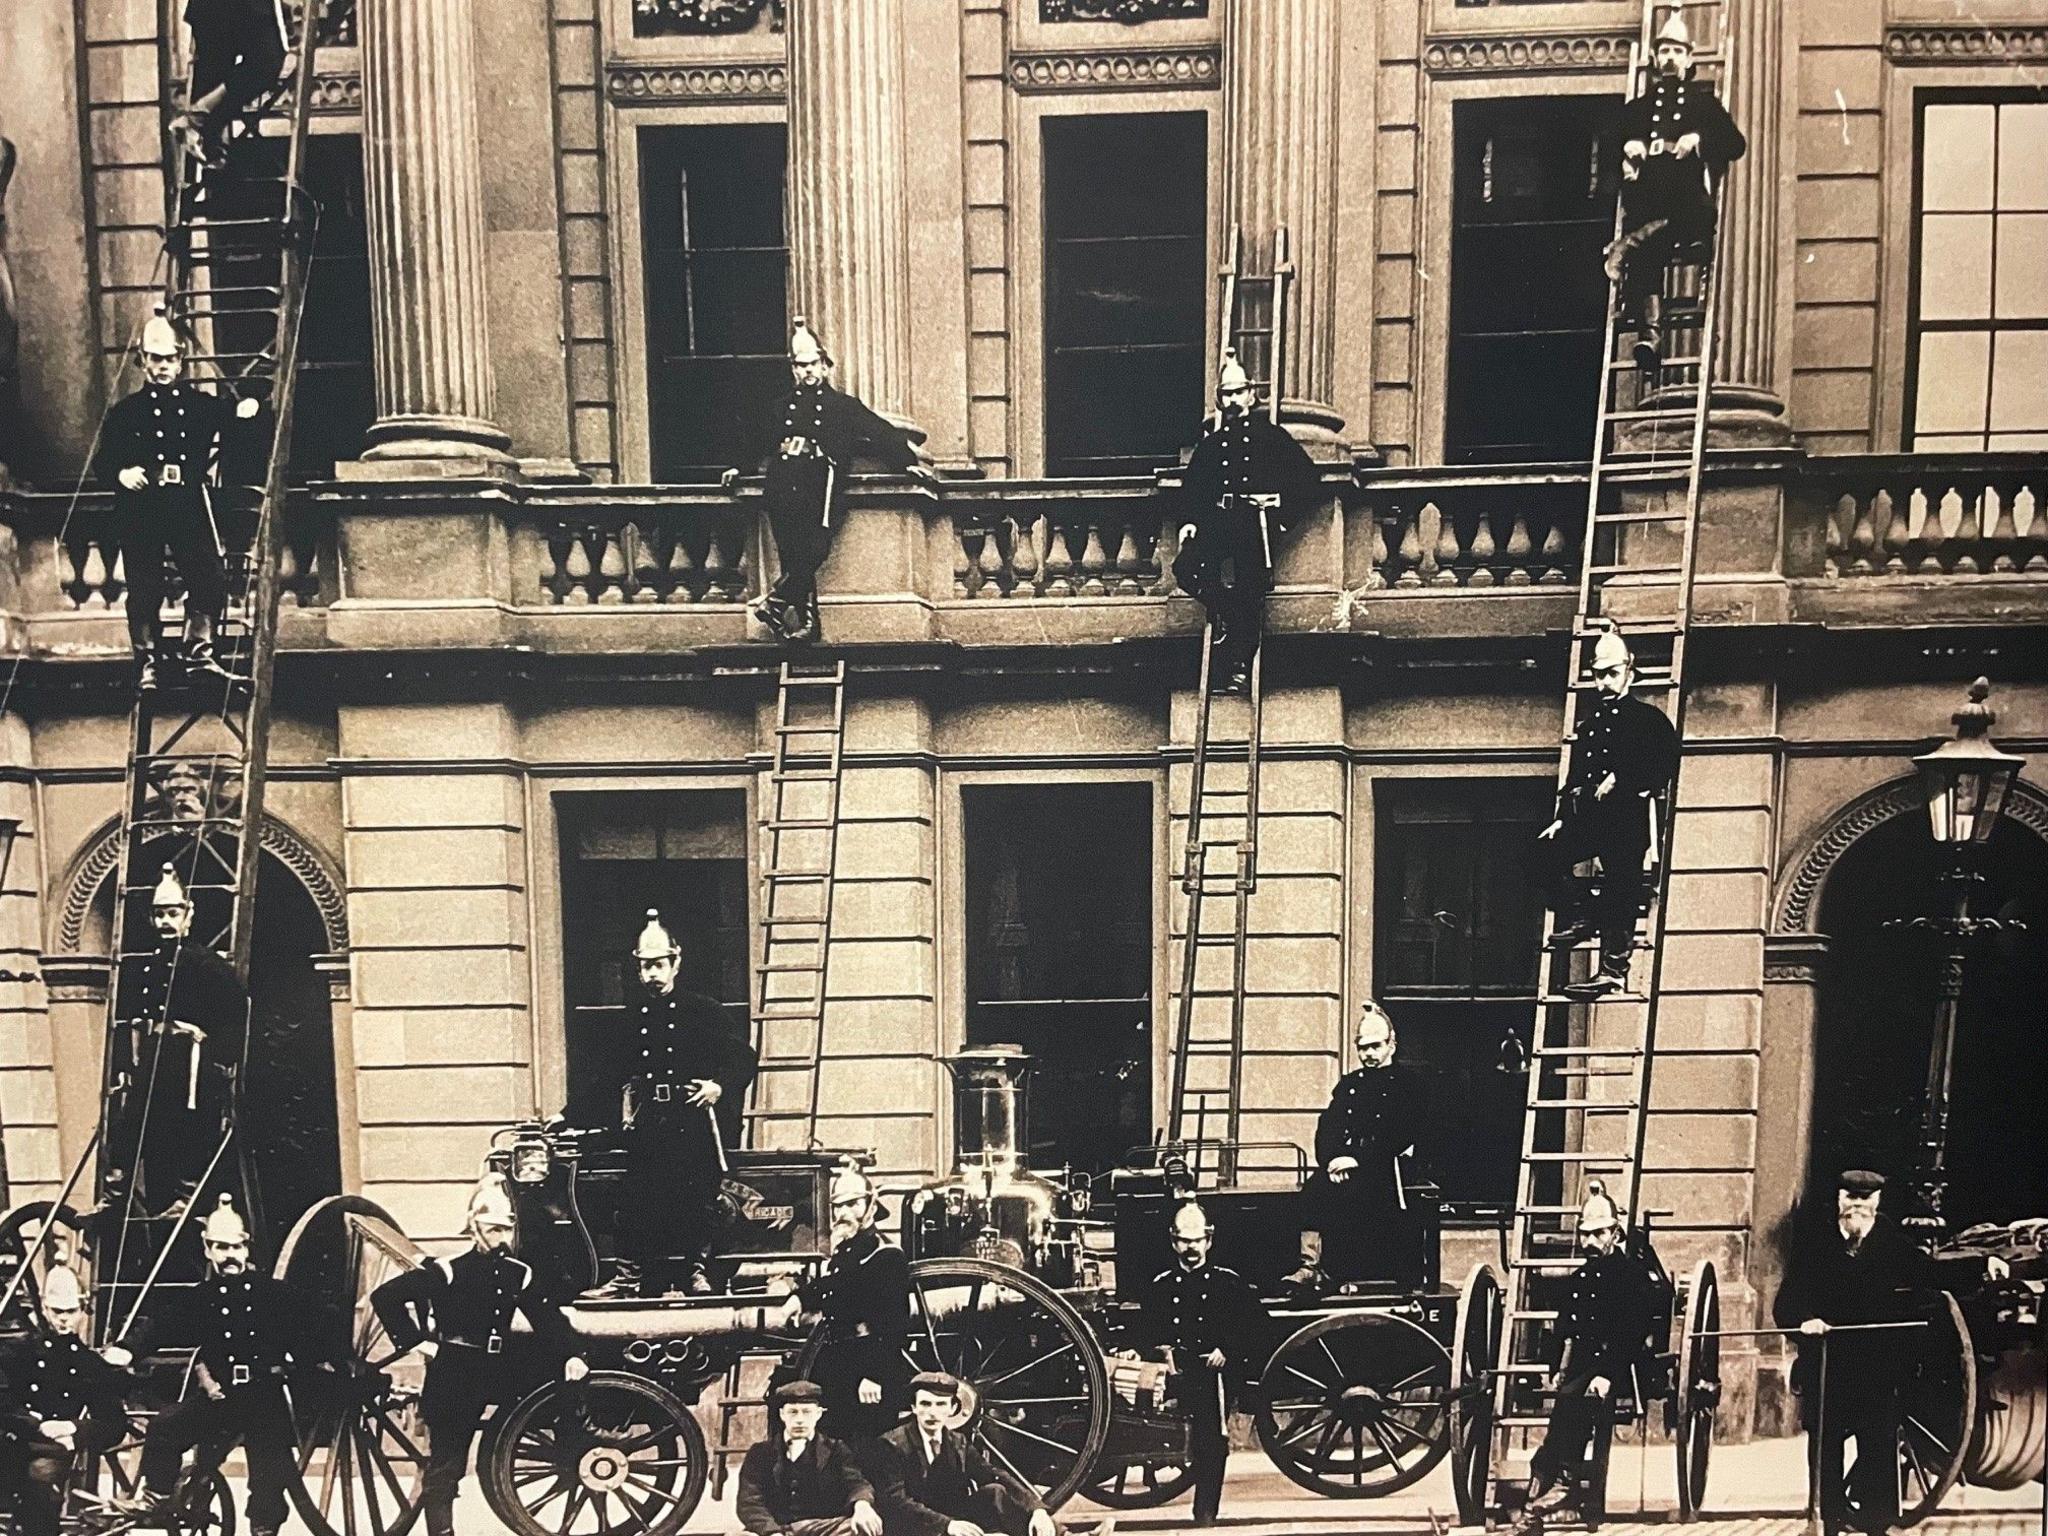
(1924, 515)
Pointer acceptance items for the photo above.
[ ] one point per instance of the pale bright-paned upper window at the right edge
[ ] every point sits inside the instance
(1979, 353)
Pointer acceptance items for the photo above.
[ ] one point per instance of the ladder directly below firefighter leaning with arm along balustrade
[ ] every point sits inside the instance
(800, 847)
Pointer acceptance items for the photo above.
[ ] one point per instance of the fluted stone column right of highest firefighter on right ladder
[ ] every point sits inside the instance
(1746, 400)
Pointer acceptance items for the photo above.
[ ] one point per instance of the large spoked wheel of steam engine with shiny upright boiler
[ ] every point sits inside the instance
(1035, 1392)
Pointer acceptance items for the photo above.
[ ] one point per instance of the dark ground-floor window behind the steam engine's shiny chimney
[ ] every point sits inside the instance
(1060, 957)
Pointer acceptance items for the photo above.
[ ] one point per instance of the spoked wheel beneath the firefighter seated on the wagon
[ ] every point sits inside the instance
(1357, 1406)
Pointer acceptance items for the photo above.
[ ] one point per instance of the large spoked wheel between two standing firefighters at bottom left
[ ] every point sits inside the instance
(357, 1431)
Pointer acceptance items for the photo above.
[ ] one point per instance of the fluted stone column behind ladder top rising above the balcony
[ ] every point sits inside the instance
(1281, 159)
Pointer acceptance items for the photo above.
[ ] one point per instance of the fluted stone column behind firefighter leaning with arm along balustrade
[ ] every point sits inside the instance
(849, 214)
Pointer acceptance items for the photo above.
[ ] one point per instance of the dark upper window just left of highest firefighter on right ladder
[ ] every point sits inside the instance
(1533, 208)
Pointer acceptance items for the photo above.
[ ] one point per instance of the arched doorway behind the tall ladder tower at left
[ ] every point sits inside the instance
(290, 1103)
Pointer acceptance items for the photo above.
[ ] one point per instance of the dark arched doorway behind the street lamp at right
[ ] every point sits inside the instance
(1877, 998)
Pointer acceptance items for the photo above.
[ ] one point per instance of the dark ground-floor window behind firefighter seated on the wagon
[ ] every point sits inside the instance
(1457, 929)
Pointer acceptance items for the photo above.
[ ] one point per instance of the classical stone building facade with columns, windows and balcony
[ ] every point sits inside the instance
(519, 693)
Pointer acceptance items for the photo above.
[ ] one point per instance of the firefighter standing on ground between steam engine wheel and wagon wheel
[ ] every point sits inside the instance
(1211, 1326)
